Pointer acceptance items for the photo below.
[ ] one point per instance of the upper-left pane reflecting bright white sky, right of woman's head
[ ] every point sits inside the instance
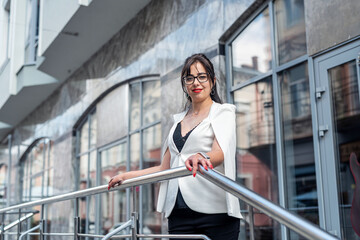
(251, 50)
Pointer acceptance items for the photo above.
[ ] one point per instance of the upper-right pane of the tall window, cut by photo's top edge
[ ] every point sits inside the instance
(290, 25)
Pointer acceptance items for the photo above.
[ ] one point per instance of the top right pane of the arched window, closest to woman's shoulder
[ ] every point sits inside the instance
(151, 102)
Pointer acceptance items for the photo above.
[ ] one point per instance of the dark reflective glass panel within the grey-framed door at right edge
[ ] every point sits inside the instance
(346, 115)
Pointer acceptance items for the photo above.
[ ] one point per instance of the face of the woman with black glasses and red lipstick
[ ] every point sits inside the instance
(199, 91)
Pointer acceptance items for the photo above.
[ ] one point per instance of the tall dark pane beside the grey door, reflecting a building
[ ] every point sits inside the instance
(298, 143)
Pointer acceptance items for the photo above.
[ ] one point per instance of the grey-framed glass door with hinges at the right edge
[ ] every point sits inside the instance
(338, 130)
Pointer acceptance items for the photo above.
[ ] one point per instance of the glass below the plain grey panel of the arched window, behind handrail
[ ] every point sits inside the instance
(113, 204)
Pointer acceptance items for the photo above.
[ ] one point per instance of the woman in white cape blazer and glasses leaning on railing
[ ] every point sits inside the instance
(204, 134)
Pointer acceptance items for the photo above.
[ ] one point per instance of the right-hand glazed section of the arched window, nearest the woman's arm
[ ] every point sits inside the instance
(145, 146)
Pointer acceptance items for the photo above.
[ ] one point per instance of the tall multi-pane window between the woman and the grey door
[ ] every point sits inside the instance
(261, 85)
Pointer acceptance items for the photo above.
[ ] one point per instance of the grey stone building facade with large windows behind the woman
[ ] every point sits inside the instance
(88, 89)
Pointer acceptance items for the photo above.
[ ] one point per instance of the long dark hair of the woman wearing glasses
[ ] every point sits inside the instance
(207, 64)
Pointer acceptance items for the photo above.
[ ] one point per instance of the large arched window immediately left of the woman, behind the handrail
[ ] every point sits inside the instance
(136, 149)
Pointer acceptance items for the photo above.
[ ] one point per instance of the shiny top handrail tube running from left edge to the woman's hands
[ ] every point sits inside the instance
(150, 178)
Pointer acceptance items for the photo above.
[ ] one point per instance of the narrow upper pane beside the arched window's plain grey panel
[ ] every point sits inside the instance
(134, 106)
